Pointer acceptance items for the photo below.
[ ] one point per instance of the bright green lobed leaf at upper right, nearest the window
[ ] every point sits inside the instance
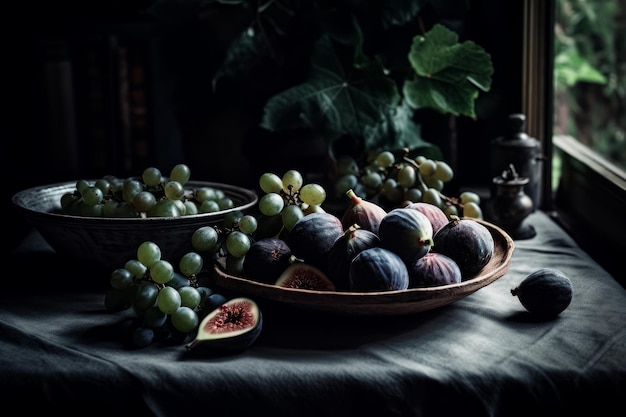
(448, 74)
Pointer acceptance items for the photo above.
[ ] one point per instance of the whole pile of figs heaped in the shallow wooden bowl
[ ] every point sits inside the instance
(369, 249)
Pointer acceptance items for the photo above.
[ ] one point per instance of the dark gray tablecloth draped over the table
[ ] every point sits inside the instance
(62, 352)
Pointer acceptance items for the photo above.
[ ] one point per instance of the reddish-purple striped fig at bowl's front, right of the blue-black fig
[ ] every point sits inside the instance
(432, 270)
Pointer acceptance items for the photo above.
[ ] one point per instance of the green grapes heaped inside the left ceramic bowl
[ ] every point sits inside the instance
(151, 195)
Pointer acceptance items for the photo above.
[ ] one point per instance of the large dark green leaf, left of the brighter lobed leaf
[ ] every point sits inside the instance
(333, 99)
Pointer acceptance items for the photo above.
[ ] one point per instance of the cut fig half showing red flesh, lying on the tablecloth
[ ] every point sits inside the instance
(234, 325)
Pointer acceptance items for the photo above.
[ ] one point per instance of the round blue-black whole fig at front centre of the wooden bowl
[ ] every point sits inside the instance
(378, 269)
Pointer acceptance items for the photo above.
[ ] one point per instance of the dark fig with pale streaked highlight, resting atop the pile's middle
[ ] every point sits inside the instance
(406, 232)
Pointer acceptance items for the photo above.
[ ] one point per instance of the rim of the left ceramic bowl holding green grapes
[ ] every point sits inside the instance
(19, 201)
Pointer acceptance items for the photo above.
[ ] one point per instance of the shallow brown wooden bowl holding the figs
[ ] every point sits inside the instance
(412, 300)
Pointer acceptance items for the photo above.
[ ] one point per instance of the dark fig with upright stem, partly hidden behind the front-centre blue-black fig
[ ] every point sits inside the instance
(354, 241)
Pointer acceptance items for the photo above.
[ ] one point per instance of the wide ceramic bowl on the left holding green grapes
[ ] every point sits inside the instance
(110, 242)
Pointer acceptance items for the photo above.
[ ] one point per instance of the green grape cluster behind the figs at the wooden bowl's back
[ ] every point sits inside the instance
(401, 179)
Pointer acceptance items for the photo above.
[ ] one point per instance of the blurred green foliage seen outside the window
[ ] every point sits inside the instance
(590, 75)
